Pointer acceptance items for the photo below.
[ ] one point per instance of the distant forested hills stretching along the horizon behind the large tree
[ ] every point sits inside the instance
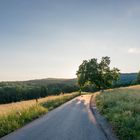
(33, 89)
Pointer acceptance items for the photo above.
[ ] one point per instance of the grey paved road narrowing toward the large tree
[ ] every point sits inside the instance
(71, 121)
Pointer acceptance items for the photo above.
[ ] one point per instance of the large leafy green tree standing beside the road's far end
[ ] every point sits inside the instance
(98, 74)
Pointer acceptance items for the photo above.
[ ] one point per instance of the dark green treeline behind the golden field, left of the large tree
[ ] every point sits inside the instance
(13, 92)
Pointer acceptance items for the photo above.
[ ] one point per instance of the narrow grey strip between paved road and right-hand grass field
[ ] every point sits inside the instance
(102, 122)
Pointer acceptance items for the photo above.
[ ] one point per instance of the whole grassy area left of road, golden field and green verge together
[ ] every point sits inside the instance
(20, 116)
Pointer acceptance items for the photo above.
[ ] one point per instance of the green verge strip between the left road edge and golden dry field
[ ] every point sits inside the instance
(15, 119)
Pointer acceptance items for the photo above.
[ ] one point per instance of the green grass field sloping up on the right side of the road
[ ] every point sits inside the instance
(122, 108)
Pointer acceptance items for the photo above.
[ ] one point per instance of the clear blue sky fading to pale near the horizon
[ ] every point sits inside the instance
(51, 38)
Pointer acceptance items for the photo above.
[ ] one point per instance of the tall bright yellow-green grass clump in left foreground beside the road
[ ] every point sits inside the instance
(11, 122)
